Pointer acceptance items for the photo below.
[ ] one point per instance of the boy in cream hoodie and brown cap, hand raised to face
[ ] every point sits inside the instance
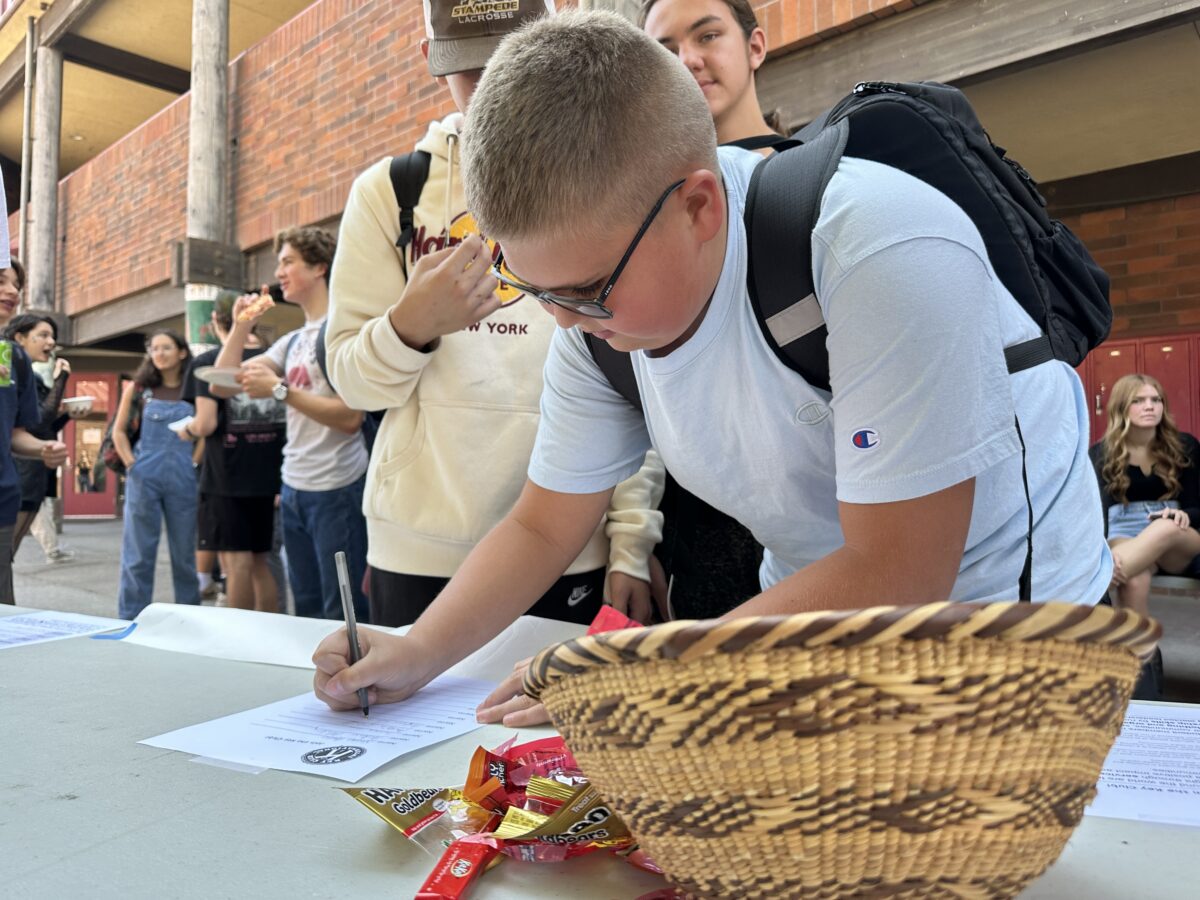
(425, 334)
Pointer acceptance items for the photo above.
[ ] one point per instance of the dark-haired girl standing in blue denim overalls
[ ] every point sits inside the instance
(160, 482)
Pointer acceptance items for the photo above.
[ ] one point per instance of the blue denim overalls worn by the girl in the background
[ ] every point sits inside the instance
(161, 484)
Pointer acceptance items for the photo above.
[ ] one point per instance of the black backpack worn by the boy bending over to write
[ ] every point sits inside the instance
(929, 131)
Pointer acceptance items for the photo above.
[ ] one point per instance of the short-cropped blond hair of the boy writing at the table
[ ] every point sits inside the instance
(580, 122)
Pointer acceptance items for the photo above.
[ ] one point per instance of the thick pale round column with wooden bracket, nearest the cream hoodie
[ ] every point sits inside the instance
(208, 149)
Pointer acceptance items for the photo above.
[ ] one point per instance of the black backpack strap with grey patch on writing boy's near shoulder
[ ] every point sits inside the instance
(783, 206)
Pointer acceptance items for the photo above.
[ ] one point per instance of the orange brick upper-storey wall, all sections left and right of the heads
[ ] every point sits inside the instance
(311, 106)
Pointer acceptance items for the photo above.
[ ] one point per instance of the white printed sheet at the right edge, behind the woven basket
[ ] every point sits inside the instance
(1153, 773)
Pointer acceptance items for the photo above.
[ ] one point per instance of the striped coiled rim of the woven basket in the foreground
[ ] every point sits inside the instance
(953, 621)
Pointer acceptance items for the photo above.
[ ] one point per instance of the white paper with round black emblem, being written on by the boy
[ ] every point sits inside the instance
(304, 735)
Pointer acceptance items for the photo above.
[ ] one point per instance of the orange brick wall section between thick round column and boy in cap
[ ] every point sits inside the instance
(319, 101)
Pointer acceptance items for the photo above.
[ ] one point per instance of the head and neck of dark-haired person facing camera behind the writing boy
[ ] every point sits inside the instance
(723, 46)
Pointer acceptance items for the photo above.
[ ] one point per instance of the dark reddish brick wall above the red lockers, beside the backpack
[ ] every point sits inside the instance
(1153, 254)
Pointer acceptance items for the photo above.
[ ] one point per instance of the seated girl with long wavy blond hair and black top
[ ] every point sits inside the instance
(1150, 485)
